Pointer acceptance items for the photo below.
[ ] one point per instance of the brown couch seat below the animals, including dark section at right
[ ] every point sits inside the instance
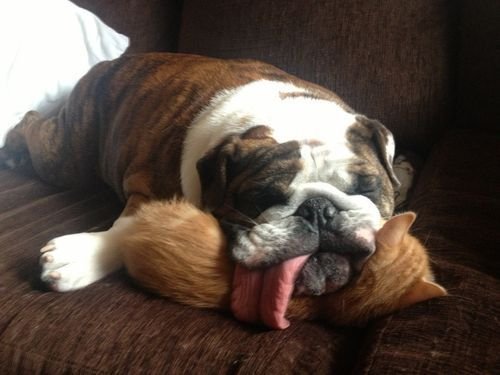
(115, 327)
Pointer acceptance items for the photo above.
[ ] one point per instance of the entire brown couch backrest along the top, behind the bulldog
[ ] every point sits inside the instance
(419, 66)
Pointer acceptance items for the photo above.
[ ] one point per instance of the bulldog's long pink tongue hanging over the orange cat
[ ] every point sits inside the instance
(263, 295)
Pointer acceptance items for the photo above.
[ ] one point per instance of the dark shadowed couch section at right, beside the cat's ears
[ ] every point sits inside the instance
(458, 200)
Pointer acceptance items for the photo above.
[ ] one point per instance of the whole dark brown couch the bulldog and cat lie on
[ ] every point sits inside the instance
(428, 69)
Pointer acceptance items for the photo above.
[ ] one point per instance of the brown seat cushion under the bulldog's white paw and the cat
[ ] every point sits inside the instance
(113, 327)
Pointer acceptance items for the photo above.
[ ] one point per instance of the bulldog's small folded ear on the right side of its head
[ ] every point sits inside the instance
(383, 141)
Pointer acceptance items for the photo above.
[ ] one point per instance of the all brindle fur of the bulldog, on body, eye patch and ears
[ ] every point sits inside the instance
(126, 121)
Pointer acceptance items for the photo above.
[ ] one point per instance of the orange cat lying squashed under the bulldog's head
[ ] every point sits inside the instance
(179, 252)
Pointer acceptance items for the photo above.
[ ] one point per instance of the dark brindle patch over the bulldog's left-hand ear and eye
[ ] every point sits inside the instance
(248, 170)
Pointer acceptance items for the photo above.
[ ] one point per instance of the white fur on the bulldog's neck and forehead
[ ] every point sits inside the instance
(302, 119)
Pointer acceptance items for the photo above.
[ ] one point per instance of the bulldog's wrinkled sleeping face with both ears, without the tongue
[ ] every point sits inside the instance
(282, 200)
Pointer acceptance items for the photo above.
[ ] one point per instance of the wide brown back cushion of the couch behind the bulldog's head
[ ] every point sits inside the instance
(389, 61)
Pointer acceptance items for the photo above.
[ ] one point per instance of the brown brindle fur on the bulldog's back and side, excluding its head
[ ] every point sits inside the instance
(113, 127)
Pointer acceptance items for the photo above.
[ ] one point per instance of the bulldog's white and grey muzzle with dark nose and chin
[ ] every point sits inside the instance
(336, 230)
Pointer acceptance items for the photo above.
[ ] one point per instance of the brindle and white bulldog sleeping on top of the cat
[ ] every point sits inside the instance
(242, 139)
